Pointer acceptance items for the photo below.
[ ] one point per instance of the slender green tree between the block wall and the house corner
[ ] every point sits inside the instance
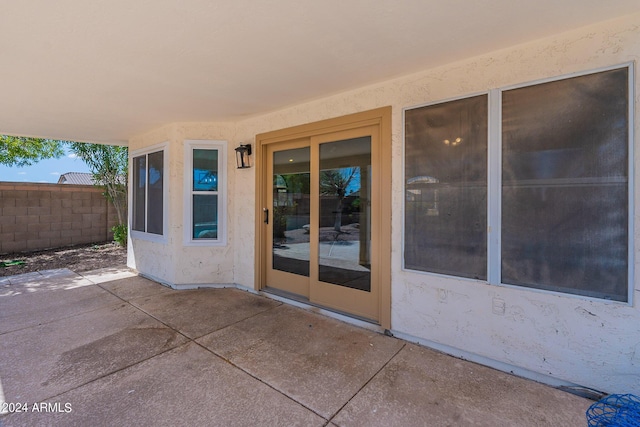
(109, 166)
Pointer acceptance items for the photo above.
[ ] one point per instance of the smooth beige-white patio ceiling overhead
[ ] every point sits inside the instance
(106, 70)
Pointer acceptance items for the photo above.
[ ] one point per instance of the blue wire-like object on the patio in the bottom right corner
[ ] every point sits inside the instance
(615, 410)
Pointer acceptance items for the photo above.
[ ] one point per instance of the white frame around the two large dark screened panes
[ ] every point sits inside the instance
(494, 188)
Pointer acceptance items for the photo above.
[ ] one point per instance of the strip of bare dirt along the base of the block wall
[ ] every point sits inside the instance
(76, 258)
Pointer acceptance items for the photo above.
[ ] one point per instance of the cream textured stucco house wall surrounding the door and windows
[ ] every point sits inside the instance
(592, 343)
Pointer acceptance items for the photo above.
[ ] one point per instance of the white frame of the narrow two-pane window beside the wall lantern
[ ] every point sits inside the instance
(221, 147)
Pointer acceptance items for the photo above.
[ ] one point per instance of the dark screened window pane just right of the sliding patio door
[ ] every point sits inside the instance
(446, 188)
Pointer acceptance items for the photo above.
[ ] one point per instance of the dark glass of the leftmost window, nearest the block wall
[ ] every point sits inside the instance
(148, 210)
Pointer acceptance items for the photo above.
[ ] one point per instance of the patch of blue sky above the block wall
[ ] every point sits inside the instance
(45, 170)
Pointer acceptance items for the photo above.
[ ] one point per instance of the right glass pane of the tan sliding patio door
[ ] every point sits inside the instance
(345, 213)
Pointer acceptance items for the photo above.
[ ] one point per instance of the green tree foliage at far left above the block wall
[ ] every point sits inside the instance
(24, 151)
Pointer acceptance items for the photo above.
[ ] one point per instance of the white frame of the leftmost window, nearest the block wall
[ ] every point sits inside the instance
(143, 235)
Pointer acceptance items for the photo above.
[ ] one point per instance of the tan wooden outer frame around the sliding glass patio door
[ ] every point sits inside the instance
(380, 117)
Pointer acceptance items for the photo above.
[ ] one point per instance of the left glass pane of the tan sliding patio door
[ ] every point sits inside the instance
(291, 211)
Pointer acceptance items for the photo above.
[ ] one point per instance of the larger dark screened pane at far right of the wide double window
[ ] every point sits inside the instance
(565, 185)
